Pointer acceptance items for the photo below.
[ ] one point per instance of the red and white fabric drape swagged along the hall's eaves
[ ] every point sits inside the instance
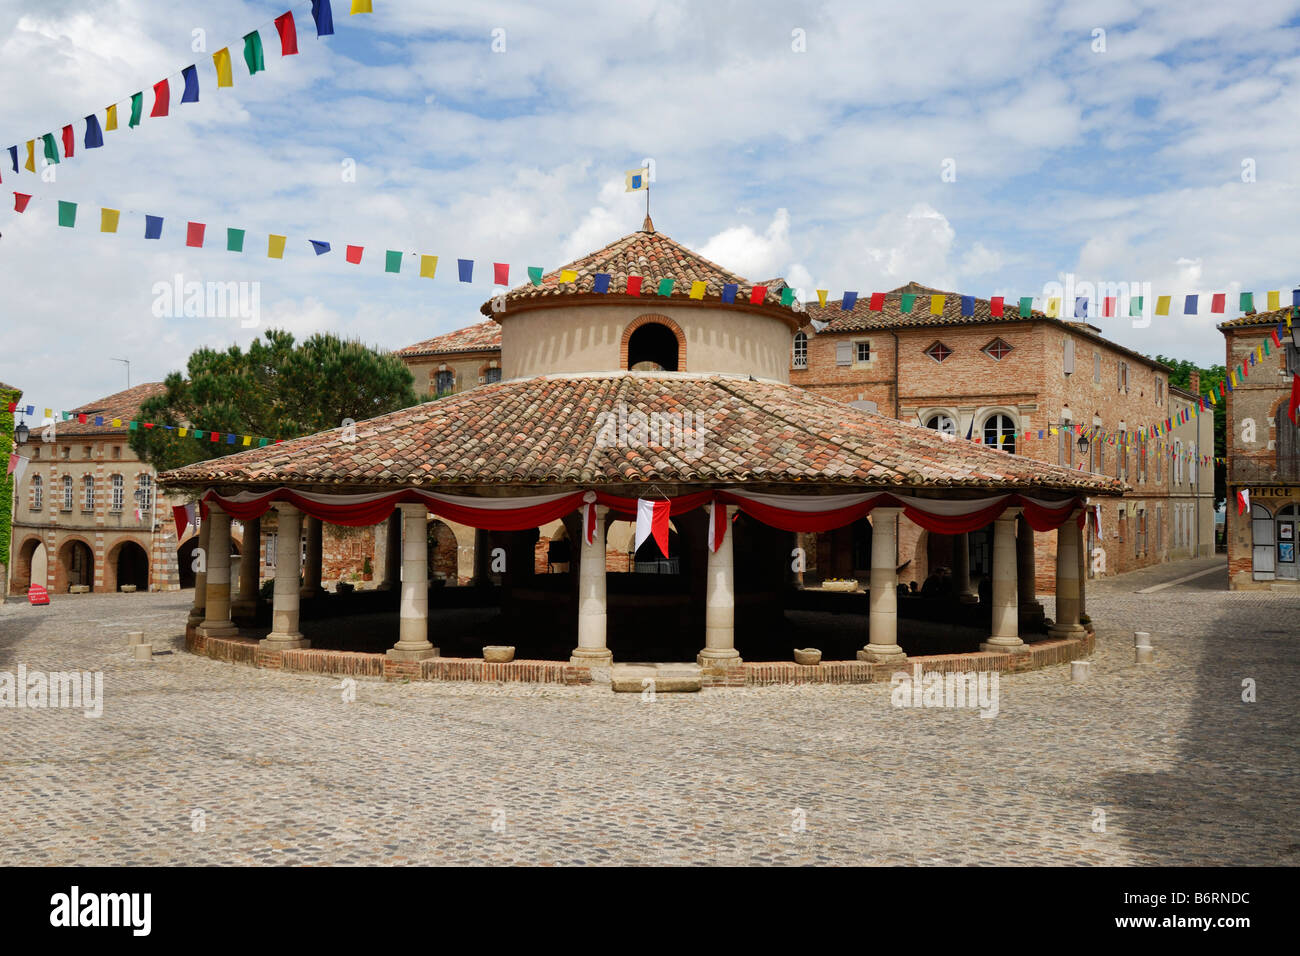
(785, 512)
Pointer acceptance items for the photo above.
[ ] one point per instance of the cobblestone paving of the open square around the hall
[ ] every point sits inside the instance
(289, 773)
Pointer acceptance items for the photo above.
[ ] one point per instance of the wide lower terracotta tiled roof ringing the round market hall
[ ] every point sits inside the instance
(544, 432)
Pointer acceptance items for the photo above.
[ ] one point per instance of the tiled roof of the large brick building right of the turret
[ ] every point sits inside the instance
(863, 319)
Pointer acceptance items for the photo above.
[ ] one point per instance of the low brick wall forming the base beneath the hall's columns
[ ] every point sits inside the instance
(353, 664)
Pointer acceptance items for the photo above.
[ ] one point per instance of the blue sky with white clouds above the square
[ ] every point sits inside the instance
(1133, 142)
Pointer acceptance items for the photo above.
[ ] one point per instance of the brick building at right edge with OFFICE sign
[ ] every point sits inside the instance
(1263, 453)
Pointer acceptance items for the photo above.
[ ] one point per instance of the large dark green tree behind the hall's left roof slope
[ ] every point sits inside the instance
(276, 390)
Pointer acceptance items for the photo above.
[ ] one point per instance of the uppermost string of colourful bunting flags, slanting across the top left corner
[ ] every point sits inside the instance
(254, 57)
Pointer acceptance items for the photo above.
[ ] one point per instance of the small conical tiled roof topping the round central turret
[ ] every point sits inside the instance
(653, 257)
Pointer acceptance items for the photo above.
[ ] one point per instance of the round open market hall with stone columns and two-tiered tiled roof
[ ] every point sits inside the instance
(675, 412)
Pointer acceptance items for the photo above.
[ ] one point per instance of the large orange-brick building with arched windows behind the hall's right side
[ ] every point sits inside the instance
(1004, 380)
